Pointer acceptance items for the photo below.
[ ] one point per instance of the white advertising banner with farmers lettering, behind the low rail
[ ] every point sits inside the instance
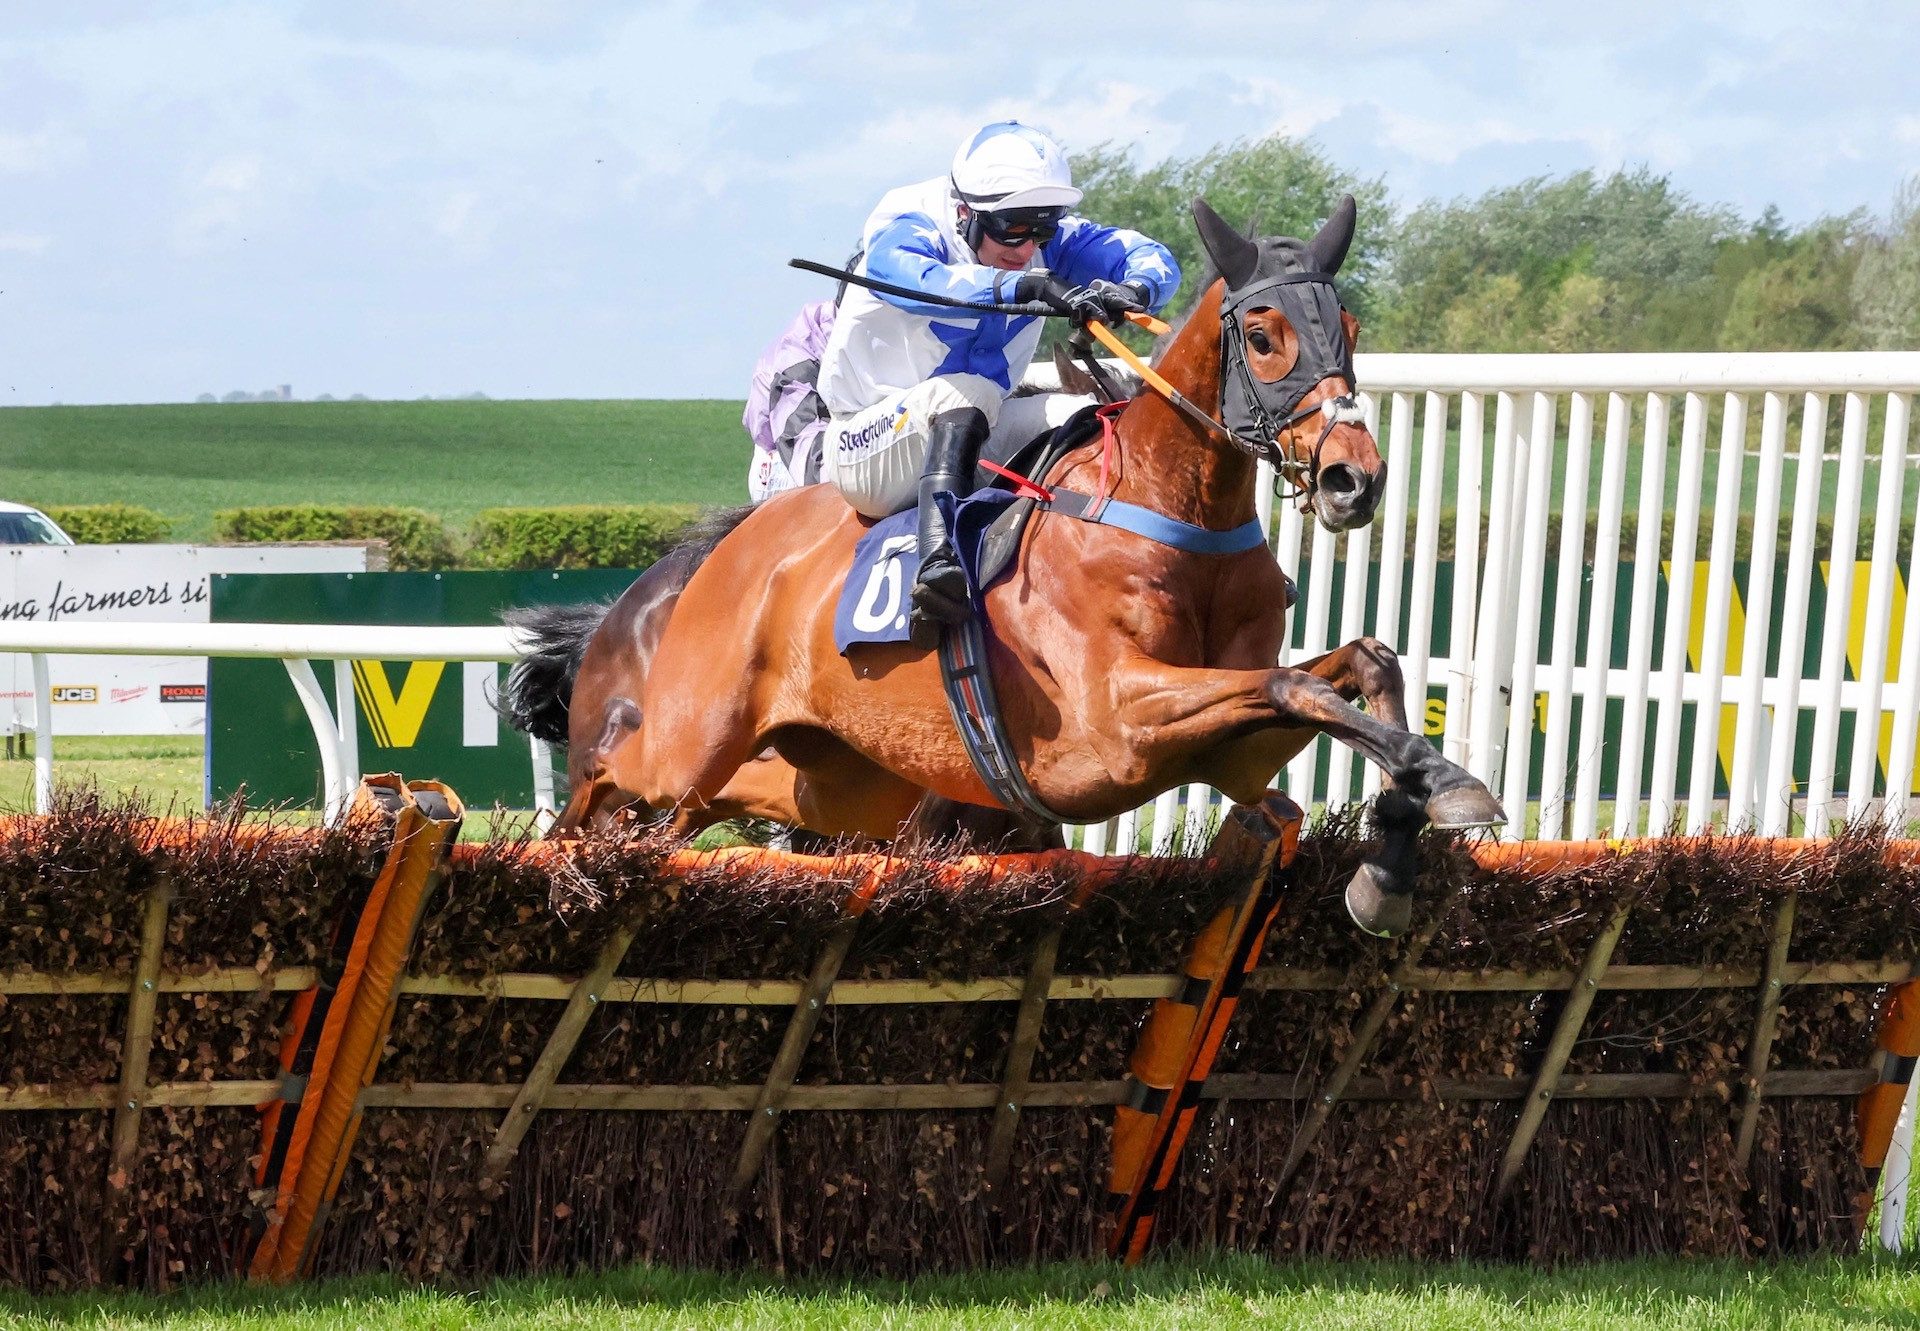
(130, 696)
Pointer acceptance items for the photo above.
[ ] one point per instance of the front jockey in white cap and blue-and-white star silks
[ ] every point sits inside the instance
(917, 387)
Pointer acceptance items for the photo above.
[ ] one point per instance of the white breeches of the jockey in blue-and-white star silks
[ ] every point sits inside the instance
(875, 456)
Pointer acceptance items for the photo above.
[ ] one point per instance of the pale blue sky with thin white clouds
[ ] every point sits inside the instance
(579, 199)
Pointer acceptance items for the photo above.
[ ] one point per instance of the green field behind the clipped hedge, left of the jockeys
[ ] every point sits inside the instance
(448, 458)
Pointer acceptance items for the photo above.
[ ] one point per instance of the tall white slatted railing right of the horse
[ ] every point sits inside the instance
(1566, 435)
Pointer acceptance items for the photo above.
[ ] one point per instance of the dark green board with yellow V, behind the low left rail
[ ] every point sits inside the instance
(425, 719)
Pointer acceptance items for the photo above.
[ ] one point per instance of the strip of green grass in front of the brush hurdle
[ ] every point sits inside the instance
(1214, 1292)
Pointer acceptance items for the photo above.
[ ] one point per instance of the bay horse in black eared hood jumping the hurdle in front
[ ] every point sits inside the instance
(1124, 667)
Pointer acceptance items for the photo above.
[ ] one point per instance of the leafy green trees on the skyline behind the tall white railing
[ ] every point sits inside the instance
(1587, 262)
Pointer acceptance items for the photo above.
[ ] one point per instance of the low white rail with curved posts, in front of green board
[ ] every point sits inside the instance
(297, 646)
